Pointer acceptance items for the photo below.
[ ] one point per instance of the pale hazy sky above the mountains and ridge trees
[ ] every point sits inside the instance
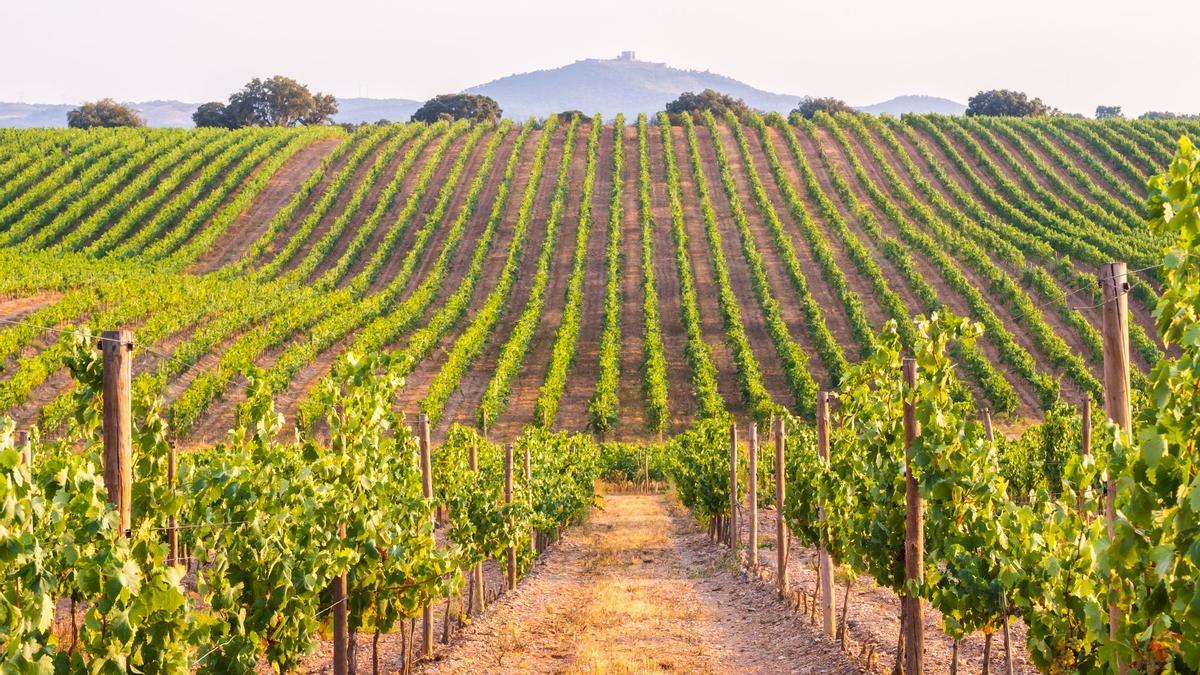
(1075, 55)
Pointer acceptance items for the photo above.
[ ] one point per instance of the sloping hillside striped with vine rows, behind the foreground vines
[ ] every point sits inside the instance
(428, 243)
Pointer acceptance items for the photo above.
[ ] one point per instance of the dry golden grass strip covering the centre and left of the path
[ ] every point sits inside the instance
(628, 605)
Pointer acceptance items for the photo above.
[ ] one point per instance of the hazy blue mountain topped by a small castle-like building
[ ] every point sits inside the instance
(616, 86)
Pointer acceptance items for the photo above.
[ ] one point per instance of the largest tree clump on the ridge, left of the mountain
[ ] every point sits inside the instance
(279, 101)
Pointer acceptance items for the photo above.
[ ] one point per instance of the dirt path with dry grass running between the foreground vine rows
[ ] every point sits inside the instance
(639, 589)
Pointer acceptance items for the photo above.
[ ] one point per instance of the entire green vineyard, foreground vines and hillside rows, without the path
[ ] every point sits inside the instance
(340, 348)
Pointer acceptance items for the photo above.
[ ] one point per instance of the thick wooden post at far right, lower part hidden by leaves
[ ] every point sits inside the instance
(1115, 334)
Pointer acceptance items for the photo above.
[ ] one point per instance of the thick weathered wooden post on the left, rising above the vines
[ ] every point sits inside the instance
(117, 348)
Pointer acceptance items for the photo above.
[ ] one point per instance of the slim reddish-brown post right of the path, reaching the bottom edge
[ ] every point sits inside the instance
(915, 534)
